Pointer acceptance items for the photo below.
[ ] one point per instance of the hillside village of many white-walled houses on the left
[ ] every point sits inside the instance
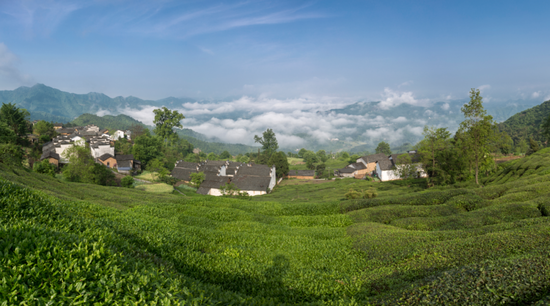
(101, 146)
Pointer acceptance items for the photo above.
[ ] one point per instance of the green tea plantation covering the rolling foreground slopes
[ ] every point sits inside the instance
(67, 244)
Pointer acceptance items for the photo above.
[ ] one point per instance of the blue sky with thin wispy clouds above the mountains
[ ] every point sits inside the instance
(346, 50)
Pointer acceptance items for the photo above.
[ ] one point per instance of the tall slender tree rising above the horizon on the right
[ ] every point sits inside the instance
(478, 129)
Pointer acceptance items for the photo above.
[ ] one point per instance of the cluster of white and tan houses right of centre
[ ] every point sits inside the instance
(385, 167)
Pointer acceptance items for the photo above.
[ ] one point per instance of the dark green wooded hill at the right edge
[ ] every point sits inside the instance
(527, 123)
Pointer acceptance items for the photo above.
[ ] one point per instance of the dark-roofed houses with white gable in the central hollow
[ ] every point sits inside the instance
(250, 178)
